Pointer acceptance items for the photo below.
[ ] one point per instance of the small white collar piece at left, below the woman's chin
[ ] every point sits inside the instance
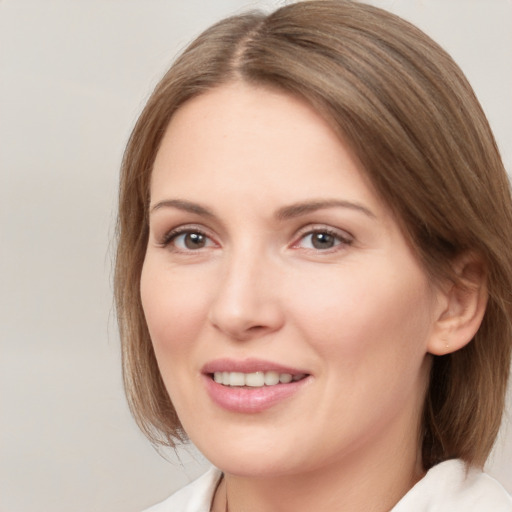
(195, 497)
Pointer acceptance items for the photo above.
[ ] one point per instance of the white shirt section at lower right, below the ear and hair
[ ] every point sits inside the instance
(451, 487)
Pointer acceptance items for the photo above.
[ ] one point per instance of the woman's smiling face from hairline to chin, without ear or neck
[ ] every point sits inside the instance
(289, 317)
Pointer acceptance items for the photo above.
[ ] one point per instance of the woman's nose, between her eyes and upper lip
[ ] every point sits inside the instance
(246, 304)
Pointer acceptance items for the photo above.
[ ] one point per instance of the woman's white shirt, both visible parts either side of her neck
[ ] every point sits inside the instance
(445, 488)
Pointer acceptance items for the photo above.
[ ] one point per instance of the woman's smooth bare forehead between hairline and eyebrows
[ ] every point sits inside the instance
(254, 138)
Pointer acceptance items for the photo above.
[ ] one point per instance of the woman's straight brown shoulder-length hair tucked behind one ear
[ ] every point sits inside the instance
(411, 118)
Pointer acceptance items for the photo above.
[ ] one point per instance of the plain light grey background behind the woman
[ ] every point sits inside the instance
(73, 77)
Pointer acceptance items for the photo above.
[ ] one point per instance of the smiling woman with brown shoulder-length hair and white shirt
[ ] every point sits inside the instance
(313, 276)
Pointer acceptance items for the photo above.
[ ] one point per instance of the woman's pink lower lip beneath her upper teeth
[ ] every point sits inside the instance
(251, 400)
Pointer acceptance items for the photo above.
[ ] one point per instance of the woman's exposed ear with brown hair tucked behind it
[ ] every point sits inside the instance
(461, 306)
